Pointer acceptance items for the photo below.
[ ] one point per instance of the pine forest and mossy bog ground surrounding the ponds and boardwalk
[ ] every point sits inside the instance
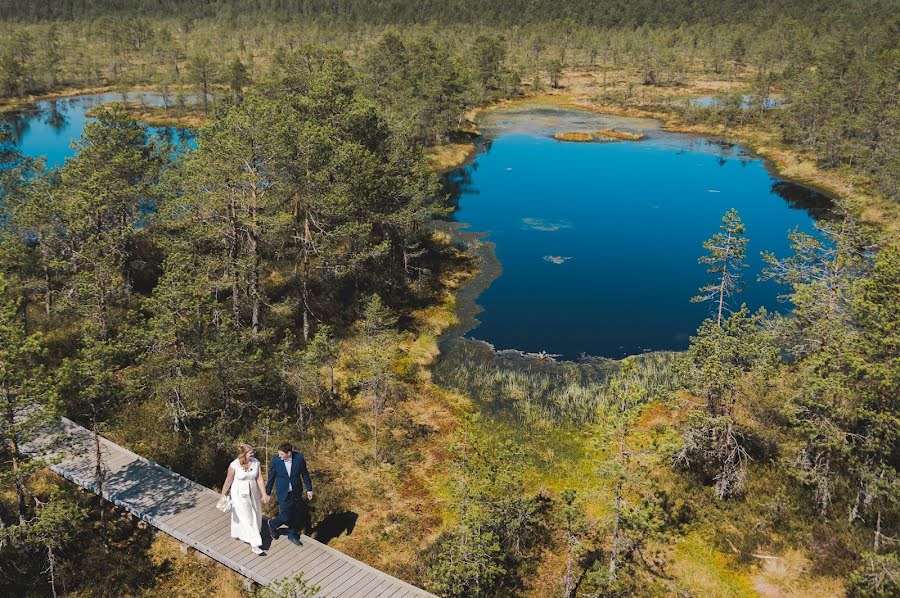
(283, 280)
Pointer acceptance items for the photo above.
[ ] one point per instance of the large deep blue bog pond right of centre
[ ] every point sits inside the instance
(599, 241)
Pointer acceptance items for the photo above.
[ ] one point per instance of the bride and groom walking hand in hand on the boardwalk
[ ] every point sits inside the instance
(287, 473)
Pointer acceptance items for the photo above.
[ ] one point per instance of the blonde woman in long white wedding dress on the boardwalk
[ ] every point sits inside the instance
(247, 492)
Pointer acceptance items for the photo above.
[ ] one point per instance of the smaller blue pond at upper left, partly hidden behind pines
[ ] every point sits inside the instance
(48, 127)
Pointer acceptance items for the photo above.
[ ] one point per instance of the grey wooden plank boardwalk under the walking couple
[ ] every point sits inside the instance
(186, 511)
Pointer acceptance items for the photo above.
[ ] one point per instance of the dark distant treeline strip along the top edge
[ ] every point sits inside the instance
(592, 13)
